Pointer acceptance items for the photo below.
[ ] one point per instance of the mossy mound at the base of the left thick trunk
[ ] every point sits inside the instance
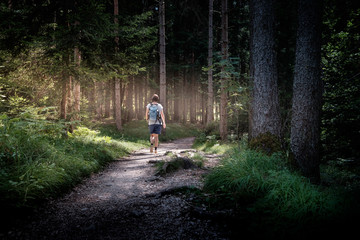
(266, 142)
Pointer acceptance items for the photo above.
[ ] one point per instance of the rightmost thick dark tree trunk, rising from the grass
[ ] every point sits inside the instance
(307, 90)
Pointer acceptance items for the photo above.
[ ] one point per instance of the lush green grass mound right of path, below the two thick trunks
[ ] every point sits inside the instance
(272, 197)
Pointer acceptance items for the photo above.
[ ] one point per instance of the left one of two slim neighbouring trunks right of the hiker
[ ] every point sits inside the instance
(210, 99)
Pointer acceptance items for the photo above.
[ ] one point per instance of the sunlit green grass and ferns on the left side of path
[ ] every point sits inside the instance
(39, 159)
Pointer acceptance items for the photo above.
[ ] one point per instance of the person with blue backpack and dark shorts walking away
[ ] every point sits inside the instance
(156, 120)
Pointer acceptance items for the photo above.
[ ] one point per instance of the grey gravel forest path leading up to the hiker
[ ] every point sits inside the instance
(127, 201)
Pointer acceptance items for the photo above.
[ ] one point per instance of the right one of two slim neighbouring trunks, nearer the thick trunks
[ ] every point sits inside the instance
(224, 79)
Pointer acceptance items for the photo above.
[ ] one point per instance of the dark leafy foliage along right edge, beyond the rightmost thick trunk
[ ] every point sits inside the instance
(341, 111)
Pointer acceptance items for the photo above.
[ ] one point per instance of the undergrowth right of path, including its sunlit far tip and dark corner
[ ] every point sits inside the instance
(270, 198)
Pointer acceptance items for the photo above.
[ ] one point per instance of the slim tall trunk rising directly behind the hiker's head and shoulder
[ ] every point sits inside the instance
(162, 55)
